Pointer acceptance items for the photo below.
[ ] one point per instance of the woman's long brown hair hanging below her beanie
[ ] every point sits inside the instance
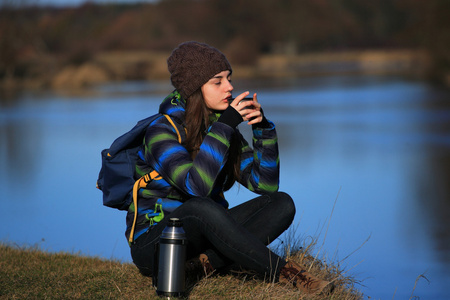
(197, 122)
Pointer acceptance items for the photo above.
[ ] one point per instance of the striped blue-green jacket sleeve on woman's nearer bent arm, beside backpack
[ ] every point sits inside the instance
(174, 163)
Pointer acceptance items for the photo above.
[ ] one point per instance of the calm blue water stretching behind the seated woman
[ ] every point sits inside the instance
(377, 148)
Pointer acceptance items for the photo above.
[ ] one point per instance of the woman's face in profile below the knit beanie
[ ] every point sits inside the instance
(217, 91)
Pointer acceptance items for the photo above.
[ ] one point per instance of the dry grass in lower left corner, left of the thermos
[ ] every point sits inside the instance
(32, 274)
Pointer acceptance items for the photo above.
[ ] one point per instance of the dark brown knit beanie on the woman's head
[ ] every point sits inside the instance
(192, 64)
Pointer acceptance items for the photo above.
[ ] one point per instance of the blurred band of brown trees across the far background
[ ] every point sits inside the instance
(243, 29)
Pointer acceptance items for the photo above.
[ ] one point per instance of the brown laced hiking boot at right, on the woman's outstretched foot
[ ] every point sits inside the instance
(293, 273)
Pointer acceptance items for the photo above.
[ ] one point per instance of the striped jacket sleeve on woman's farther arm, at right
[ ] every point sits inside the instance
(260, 166)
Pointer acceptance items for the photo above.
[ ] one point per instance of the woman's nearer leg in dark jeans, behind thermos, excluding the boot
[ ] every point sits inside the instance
(209, 226)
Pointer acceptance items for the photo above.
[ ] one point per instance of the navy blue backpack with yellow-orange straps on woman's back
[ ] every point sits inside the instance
(116, 176)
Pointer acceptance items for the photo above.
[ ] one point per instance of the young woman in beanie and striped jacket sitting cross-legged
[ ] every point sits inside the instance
(201, 155)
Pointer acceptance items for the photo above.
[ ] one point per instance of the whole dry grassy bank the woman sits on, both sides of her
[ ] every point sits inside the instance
(33, 274)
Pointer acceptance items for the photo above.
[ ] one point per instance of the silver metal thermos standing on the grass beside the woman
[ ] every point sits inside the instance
(172, 259)
